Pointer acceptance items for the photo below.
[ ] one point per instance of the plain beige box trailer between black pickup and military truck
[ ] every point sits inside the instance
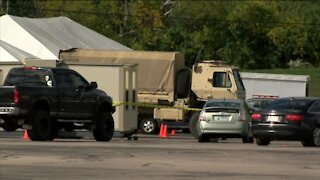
(119, 81)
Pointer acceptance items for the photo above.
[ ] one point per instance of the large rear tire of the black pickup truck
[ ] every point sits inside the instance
(43, 128)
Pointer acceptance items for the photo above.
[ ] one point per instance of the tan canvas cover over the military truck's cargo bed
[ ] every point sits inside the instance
(156, 70)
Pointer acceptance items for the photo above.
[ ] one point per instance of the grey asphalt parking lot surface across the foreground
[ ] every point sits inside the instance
(152, 157)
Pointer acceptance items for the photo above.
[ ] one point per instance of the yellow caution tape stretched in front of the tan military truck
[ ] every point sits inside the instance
(154, 106)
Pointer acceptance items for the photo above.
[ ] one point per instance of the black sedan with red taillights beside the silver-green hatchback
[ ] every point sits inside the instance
(292, 118)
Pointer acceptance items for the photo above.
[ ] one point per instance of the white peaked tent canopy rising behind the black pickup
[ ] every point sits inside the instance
(43, 38)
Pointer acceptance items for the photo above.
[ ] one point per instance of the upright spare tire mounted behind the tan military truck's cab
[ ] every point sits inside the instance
(183, 83)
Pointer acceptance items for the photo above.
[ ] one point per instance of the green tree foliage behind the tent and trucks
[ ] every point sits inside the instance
(250, 34)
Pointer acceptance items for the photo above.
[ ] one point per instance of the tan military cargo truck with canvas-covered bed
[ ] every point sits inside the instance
(168, 91)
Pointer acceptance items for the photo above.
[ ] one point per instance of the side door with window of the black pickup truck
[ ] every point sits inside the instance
(75, 101)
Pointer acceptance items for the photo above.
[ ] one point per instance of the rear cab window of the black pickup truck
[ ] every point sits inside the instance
(28, 77)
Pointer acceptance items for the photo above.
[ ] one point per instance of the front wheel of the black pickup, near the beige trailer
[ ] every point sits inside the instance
(104, 127)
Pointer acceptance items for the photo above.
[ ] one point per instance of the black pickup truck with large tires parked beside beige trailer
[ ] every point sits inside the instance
(44, 100)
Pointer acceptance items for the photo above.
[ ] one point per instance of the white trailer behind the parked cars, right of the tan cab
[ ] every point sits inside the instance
(264, 85)
